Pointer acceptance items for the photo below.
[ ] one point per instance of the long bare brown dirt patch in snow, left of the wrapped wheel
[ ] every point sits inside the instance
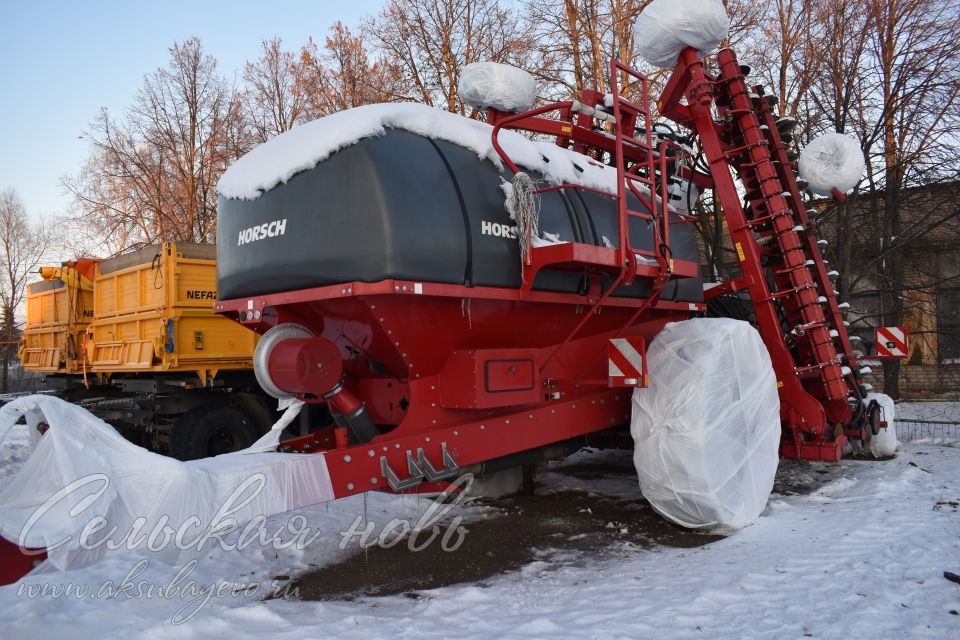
(562, 528)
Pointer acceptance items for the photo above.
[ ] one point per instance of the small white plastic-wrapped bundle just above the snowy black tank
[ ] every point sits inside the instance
(501, 86)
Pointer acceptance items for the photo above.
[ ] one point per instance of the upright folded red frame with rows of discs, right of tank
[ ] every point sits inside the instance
(818, 396)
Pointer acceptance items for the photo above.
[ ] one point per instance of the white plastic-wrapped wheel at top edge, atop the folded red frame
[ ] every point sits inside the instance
(666, 27)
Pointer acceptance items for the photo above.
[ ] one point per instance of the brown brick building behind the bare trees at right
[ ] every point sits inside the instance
(930, 250)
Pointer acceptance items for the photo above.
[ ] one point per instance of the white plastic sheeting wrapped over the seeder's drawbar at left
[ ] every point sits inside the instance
(136, 490)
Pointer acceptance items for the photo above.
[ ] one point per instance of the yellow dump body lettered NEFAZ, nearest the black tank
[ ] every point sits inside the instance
(153, 311)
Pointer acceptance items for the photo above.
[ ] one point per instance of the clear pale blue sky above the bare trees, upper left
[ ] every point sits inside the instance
(61, 61)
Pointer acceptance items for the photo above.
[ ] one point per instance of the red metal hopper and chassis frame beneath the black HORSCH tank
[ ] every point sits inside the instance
(387, 320)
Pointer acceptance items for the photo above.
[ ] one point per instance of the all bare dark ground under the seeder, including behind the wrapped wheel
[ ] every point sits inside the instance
(569, 522)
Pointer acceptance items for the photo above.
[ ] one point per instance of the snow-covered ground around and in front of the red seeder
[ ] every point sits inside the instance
(856, 550)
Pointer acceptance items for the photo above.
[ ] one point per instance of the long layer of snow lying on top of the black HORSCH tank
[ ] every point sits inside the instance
(304, 146)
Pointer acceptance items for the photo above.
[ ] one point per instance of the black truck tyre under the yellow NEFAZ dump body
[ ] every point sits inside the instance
(209, 431)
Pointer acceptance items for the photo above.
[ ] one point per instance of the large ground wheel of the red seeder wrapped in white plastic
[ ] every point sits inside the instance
(707, 429)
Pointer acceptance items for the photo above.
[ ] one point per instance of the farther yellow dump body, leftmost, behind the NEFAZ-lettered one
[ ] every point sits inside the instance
(59, 308)
